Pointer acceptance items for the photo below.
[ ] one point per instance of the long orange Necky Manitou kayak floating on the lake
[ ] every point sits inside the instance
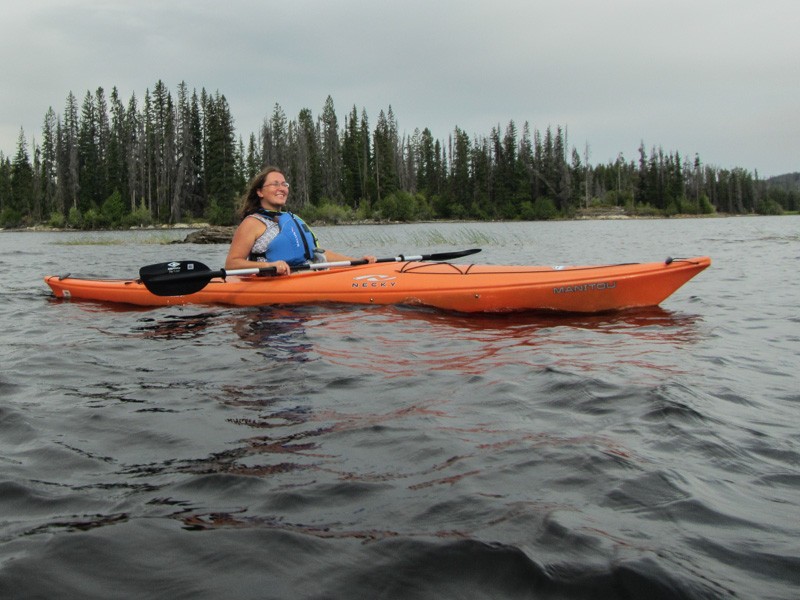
(463, 288)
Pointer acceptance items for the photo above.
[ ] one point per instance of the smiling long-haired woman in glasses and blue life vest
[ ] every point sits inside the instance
(270, 237)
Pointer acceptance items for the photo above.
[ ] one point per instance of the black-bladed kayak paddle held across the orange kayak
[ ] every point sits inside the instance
(180, 278)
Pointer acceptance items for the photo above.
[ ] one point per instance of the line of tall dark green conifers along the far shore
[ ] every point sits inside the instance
(169, 158)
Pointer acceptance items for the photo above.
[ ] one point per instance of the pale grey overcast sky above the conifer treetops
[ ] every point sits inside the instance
(720, 78)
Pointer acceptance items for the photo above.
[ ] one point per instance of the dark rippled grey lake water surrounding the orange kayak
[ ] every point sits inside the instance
(393, 452)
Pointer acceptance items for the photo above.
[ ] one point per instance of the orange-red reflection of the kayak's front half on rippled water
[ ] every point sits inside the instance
(399, 342)
